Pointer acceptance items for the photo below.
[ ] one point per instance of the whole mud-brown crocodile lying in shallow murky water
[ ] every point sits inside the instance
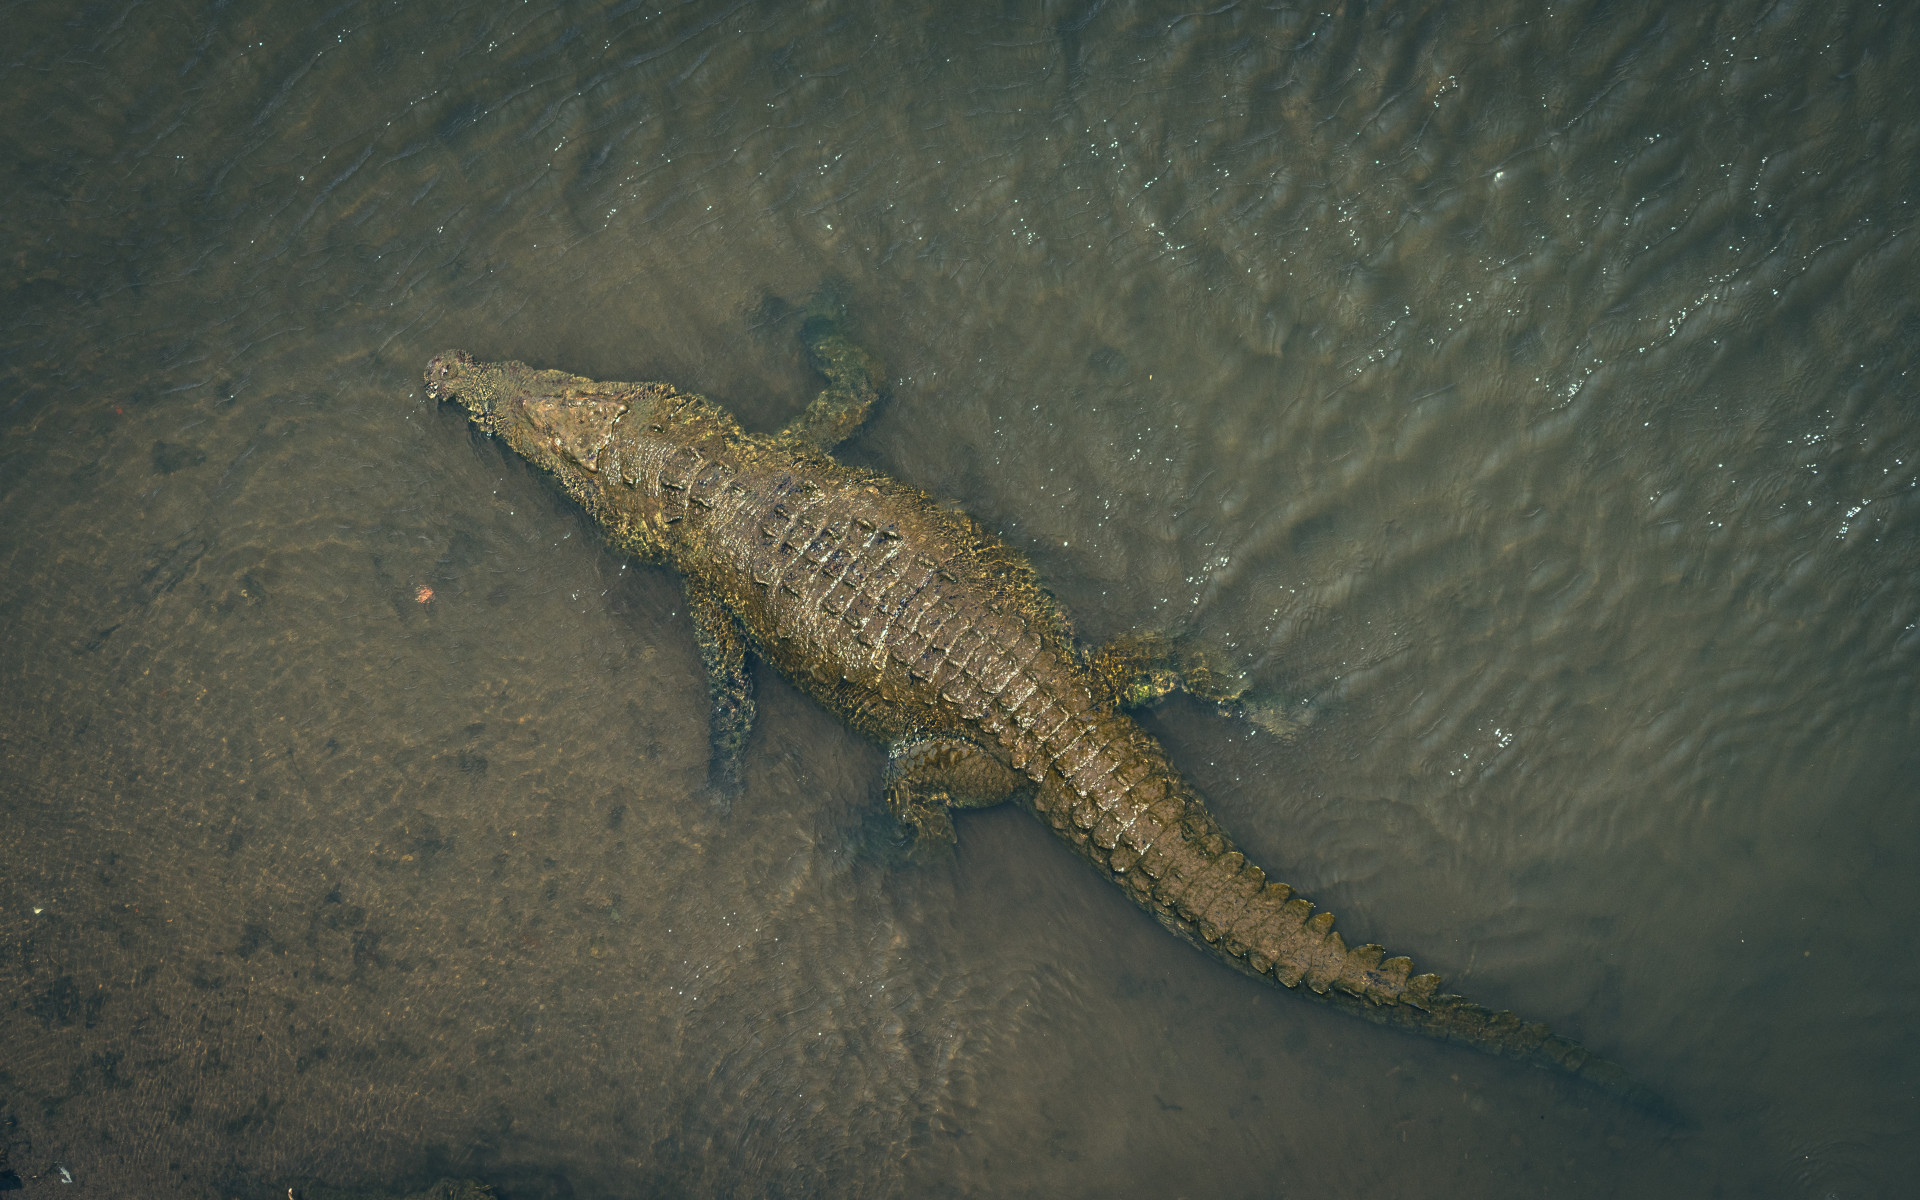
(930, 635)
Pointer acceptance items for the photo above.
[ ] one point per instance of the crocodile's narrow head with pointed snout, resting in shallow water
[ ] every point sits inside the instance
(552, 420)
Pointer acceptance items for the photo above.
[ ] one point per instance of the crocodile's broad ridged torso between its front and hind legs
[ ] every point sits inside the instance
(900, 615)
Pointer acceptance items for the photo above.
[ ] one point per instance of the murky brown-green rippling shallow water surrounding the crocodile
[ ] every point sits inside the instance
(1522, 395)
